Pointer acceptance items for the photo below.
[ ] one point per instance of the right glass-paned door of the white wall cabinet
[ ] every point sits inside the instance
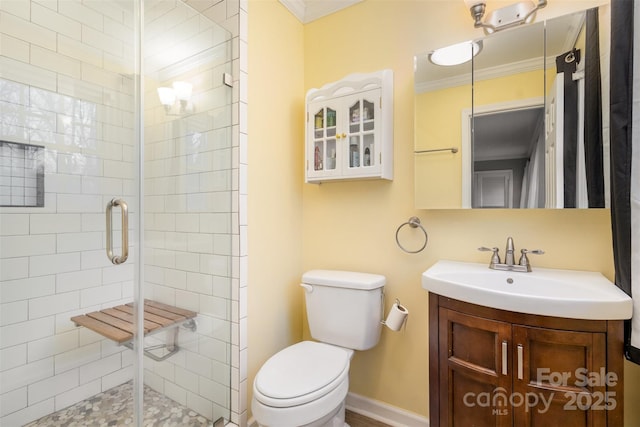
(359, 126)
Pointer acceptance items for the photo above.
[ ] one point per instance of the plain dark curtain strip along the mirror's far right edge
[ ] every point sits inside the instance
(593, 113)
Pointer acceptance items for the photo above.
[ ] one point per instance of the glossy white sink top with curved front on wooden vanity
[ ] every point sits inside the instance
(544, 291)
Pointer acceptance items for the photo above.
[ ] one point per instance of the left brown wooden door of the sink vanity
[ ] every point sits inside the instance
(475, 380)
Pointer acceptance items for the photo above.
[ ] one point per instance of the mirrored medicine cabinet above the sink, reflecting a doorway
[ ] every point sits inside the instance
(520, 125)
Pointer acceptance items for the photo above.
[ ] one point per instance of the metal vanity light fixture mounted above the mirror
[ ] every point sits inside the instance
(523, 12)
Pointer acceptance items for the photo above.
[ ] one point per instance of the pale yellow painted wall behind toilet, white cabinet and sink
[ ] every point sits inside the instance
(351, 225)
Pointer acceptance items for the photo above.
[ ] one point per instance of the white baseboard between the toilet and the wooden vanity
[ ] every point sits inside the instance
(384, 412)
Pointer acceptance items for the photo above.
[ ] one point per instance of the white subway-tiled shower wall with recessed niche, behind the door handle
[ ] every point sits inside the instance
(64, 85)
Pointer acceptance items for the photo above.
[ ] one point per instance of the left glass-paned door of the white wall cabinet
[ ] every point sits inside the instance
(323, 148)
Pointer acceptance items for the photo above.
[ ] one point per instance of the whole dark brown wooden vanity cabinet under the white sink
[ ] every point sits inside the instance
(491, 367)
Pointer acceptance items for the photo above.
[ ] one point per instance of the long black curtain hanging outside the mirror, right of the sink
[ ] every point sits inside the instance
(621, 144)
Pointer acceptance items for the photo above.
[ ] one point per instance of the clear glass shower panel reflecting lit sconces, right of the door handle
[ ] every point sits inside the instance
(187, 121)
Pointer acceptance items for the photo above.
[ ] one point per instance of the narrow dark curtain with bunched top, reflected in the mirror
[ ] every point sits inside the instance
(567, 64)
